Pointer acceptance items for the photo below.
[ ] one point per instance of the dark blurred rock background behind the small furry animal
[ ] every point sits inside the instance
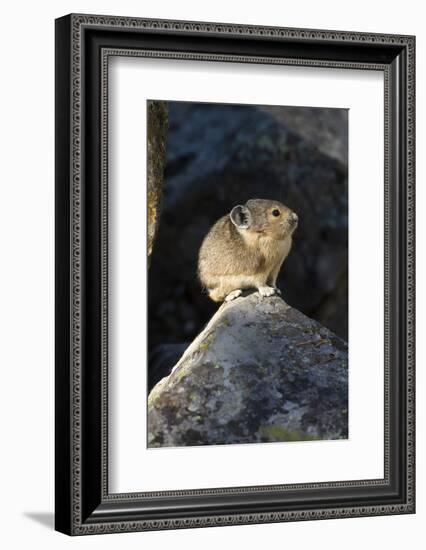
(222, 155)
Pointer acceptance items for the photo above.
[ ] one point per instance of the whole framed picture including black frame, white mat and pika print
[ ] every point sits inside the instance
(234, 274)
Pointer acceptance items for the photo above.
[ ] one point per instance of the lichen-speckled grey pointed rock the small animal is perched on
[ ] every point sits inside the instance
(260, 371)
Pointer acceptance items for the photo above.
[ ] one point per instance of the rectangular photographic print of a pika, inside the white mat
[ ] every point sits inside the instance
(248, 274)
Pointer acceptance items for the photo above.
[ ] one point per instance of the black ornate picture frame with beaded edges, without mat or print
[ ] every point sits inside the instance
(84, 43)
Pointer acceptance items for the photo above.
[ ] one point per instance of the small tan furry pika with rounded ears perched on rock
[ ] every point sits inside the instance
(246, 249)
